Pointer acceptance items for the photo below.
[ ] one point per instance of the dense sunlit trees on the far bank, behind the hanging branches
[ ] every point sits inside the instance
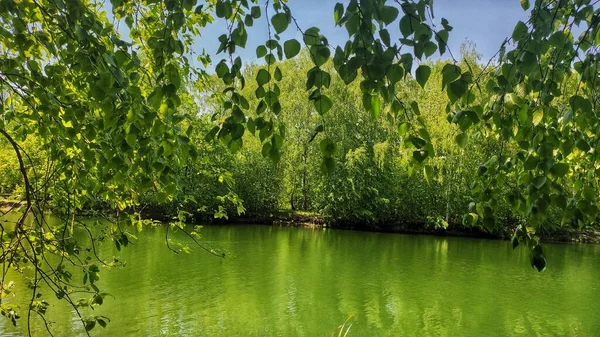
(370, 185)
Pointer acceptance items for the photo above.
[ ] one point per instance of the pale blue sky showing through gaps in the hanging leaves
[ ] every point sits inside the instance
(485, 22)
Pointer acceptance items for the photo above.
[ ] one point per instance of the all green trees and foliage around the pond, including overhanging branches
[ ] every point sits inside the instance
(111, 112)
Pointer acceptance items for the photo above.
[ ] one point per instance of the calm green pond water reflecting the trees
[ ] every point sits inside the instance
(304, 282)
